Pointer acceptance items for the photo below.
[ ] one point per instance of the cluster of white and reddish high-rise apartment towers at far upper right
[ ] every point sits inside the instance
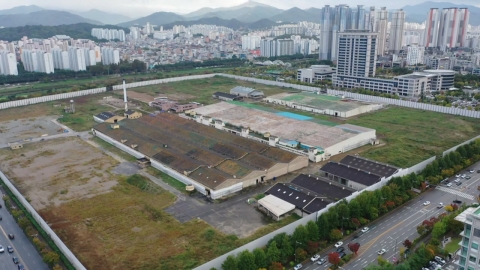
(446, 28)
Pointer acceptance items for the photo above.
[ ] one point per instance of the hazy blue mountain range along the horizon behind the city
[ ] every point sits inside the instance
(248, 15)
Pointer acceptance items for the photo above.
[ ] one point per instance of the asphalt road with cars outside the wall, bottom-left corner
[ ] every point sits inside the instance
(23, 248)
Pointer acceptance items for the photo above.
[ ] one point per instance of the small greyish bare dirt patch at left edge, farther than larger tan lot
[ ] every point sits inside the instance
(24, 129)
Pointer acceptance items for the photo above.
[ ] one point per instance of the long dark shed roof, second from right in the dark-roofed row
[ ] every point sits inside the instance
(351, 174)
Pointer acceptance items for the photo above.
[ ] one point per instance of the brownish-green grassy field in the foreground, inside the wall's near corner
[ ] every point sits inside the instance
(128, 229)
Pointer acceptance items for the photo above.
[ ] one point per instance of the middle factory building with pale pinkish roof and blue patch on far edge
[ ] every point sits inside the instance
(288, 131)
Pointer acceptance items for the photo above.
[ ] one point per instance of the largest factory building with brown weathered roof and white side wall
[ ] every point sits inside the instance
(210, 158)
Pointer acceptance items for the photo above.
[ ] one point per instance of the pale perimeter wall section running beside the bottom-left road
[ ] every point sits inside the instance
(63, 248)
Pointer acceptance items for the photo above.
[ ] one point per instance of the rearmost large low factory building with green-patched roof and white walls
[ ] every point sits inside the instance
(323, 104)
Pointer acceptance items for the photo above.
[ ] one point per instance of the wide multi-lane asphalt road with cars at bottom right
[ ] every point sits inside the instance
(391, 231)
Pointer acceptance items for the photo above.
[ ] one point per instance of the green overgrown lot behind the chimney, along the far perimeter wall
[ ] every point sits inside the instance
(198, 90)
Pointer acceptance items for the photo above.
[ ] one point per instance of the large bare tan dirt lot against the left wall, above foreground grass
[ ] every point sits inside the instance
(52, 172)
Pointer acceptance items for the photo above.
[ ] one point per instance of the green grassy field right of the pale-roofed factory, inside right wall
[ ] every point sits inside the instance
(412, 136)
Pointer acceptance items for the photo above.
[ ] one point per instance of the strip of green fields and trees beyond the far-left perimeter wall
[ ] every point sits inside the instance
(35, 89)
